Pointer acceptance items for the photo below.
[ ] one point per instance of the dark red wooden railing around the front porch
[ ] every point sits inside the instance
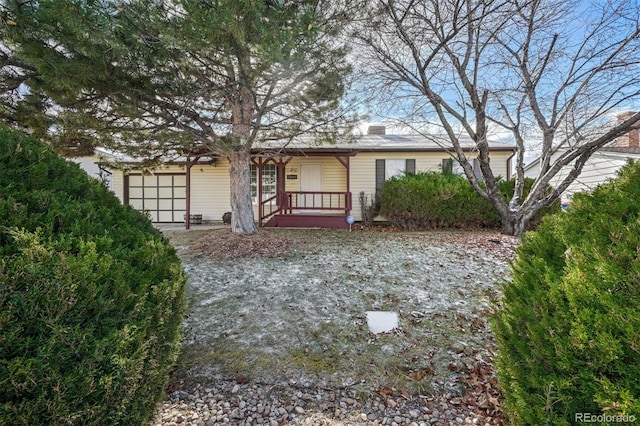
(301, 202)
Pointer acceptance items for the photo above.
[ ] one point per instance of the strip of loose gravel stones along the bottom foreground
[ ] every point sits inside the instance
(226, 402)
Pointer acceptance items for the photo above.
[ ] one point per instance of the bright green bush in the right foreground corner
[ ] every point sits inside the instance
(568, 330)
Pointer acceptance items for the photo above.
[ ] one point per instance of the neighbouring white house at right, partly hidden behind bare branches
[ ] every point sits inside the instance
(602, 167)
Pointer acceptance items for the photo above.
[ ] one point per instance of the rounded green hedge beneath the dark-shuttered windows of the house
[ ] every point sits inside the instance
(443, 200)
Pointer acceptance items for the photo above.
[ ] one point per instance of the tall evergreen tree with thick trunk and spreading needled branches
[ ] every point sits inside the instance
(156, 79)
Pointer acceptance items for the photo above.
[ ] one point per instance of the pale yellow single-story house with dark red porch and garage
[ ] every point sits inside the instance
(300, 185)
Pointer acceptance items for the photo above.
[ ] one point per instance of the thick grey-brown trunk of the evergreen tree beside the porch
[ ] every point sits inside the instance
(242, 220)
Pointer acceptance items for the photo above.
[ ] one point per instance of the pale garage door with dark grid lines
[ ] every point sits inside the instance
(162, 196)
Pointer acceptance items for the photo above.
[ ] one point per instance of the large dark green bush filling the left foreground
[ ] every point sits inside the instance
(91, 296)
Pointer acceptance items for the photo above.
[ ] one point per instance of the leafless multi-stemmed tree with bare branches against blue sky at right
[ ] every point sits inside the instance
(556, 72)
